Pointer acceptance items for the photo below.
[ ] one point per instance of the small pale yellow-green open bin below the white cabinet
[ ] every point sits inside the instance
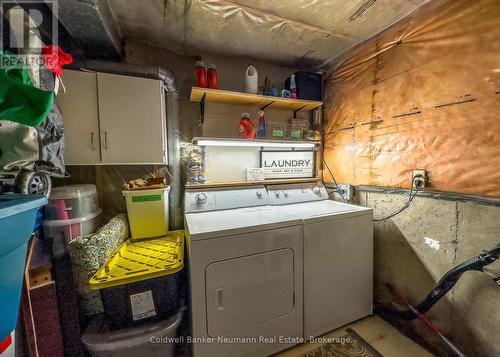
(147, 212)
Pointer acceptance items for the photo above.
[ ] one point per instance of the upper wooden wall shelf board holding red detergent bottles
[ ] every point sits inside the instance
(207, 95)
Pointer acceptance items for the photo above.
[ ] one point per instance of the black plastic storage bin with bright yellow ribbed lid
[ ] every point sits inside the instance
(140, 282)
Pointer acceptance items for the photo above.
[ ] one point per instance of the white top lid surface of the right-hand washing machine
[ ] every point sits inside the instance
(324, 209)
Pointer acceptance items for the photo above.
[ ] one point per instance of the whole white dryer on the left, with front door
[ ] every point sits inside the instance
(246, 273)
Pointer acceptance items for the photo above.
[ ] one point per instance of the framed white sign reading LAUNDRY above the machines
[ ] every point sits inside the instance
(287, 164)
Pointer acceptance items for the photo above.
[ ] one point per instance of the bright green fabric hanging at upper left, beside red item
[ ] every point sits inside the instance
(20, 100)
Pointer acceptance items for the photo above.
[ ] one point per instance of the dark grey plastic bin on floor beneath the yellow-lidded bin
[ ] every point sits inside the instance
(149, 340)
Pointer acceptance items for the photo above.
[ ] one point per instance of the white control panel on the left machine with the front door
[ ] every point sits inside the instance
(221, 199)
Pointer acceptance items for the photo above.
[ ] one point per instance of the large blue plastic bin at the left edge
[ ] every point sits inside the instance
(17, 219)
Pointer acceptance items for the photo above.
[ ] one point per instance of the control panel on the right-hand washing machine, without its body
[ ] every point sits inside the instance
(297, 193)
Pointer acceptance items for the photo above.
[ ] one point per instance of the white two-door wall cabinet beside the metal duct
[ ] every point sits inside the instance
(130, 117)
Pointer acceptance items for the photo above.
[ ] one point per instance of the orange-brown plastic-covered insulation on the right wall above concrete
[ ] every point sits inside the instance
(423, 94)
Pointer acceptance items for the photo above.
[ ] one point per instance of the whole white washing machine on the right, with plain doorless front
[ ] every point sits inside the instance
(338, 256)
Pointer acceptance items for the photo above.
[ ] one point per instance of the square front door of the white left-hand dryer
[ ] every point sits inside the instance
(244, 292)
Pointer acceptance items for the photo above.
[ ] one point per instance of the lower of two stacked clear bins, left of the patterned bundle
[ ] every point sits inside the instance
(64, 231)
